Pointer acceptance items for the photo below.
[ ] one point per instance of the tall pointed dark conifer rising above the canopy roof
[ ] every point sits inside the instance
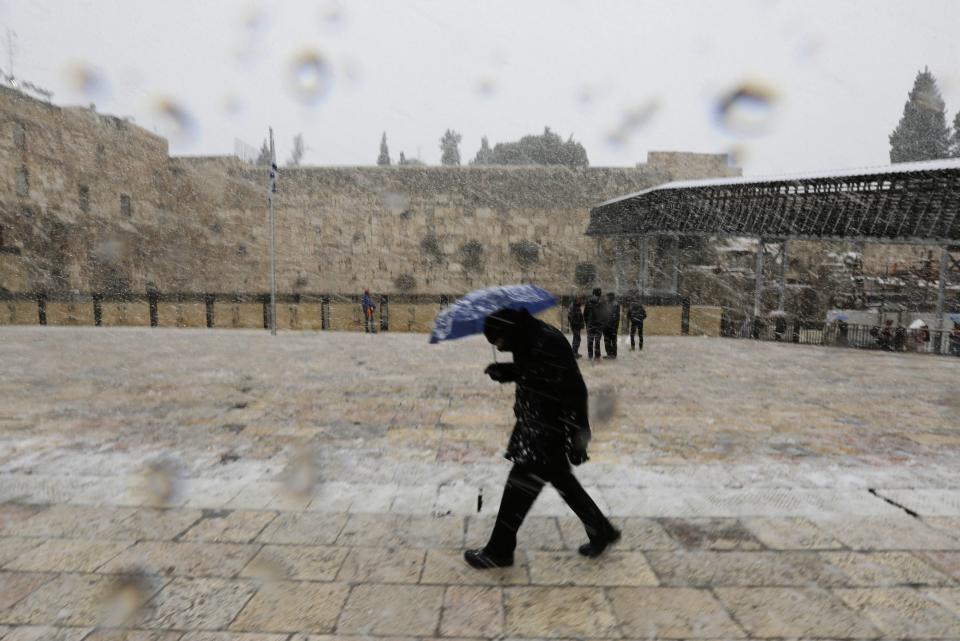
(922, 133)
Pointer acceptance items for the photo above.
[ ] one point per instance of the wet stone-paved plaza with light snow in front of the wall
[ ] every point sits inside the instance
(202, 485)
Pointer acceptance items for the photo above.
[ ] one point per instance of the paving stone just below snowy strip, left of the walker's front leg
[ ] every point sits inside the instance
(402, 530)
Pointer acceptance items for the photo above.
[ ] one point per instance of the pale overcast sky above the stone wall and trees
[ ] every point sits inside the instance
(623, 78)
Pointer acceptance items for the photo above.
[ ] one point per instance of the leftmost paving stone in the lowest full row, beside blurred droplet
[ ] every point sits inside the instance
(74, 599)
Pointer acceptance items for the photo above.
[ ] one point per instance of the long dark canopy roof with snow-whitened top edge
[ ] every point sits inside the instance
(908, 202)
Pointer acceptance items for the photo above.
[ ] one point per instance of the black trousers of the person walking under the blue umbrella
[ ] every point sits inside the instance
(522, 488)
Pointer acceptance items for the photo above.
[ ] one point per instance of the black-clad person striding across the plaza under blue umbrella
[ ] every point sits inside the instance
(551, 433)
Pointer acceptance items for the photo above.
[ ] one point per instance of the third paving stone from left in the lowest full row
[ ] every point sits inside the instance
(284, 606)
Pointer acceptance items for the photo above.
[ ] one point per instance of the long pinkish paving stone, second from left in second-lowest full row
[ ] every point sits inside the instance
(184, 559)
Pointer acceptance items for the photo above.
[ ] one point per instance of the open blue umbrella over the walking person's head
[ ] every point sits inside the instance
(466, 316)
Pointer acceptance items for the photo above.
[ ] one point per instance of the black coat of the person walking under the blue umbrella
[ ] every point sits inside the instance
(551, 399)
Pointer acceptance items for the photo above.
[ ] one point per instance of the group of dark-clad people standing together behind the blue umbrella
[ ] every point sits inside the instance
(602, 320)
